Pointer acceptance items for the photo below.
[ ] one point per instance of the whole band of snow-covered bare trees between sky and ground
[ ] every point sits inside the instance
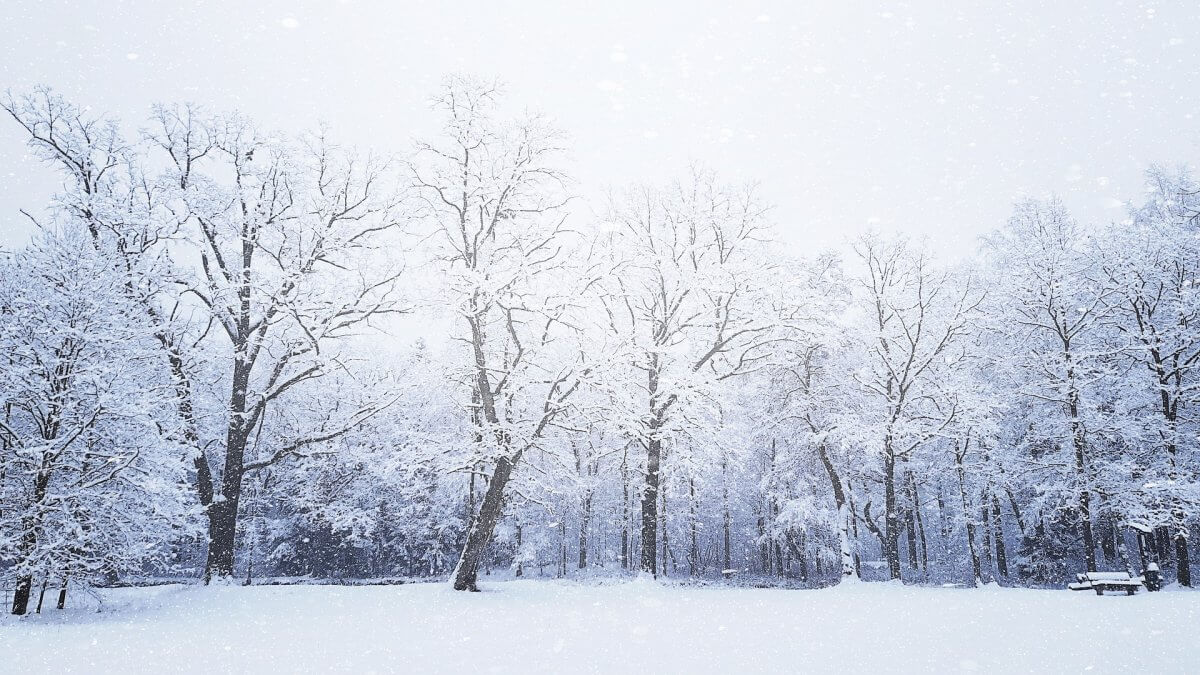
(209, 368)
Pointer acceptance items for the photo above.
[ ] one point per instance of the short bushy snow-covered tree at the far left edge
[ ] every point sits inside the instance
(93, 477)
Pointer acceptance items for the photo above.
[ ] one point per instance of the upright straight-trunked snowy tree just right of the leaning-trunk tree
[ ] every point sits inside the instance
(689, 298)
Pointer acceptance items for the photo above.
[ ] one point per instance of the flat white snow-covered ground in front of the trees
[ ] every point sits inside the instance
(627, 628)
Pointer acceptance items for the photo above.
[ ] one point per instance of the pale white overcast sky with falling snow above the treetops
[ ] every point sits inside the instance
(909, 116)
